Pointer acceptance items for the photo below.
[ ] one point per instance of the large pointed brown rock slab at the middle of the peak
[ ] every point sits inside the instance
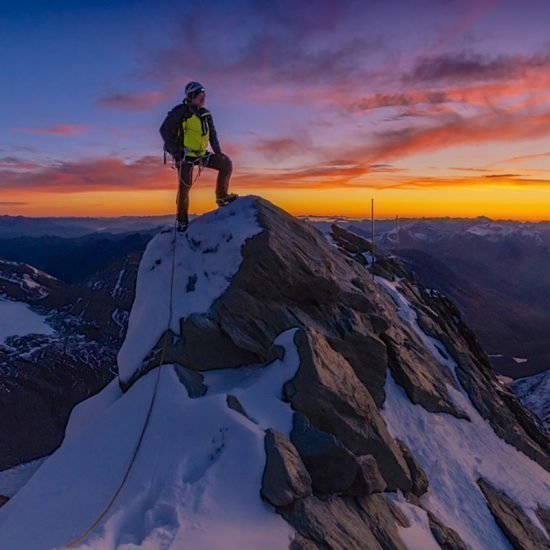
(327, 391)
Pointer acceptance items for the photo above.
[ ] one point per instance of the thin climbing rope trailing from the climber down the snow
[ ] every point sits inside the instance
(81, 538)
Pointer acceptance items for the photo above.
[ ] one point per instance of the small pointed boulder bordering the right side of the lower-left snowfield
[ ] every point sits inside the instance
(285, 477)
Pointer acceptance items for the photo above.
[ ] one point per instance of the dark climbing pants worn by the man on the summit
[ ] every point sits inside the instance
(220, 162)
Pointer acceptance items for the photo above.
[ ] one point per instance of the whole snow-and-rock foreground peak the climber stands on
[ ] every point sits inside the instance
(301, 403)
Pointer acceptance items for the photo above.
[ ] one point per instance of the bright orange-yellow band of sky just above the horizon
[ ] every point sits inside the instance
(506, 201)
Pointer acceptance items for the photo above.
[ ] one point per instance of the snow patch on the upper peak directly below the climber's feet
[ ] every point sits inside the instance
(202, 261)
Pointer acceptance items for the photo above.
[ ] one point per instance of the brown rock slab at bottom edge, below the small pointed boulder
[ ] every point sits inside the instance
(346, 522)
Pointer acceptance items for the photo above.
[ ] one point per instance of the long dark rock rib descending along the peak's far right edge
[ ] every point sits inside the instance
(496, 403)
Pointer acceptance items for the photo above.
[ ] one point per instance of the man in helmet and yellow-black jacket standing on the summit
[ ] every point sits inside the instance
(186, 131)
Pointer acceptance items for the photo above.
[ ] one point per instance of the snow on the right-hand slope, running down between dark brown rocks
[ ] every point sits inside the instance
(455, 453)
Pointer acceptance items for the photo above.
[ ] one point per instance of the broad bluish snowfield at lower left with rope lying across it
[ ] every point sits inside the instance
(196, 479)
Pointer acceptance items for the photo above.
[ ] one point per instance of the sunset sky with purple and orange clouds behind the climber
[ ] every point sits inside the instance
(431, 107)
